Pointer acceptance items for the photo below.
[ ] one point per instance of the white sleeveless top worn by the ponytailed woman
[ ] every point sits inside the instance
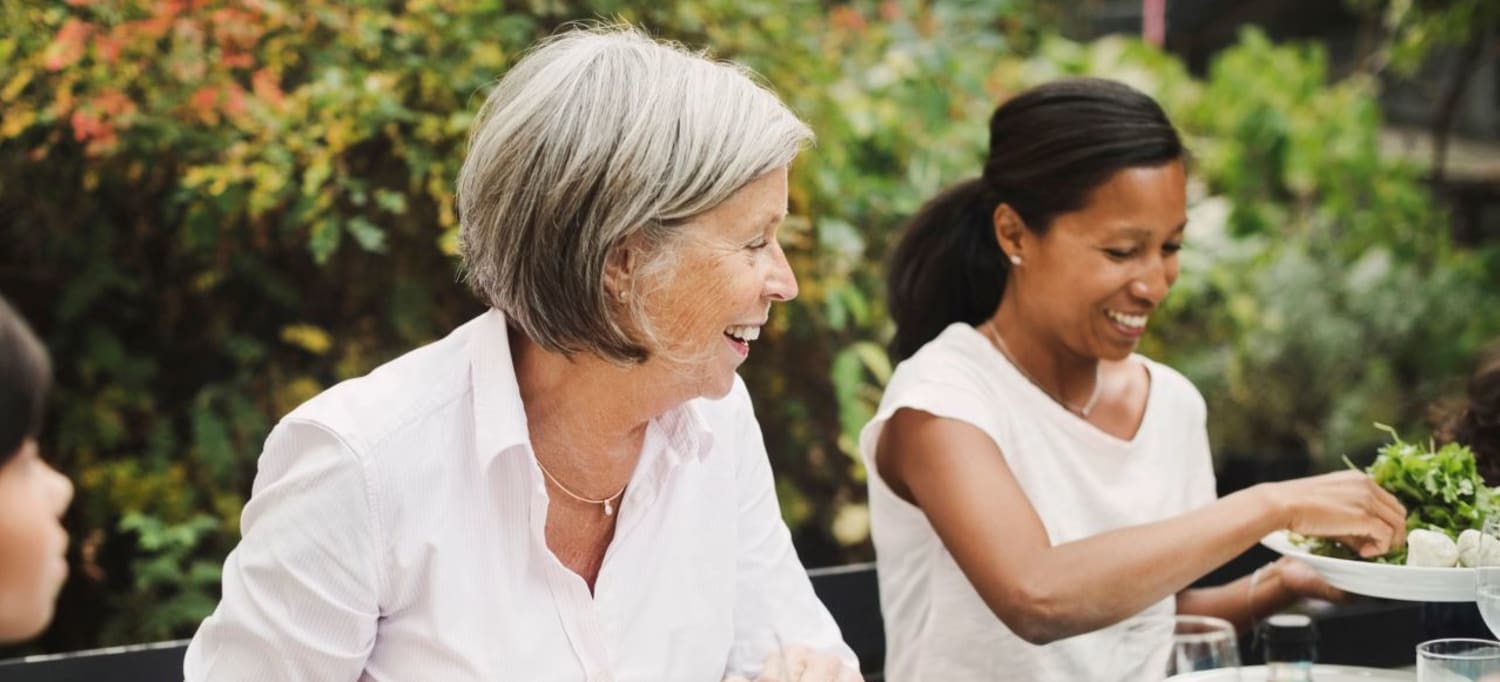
(1081, 480)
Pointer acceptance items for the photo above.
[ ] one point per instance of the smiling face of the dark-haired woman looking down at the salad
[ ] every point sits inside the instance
(1093, 281)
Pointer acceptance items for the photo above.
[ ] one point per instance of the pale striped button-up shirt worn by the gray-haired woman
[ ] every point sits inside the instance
(395, 533)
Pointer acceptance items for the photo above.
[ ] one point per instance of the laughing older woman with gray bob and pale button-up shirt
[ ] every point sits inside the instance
(574, 485)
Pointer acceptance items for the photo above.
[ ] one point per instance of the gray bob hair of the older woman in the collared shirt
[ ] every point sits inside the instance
(595, 137)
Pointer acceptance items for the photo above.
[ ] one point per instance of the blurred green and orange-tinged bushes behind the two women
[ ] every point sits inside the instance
(215, 209)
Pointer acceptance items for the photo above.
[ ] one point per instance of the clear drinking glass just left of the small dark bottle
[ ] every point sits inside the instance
(1178, 645)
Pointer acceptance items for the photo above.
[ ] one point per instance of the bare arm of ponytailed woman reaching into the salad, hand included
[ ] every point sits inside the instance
(1046, 593)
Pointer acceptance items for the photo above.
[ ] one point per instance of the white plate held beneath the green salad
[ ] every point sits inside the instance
(1393, 582)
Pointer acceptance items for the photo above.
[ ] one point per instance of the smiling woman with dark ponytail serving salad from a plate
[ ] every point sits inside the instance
(1037, 488)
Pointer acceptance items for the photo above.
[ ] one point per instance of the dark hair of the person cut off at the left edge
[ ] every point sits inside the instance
(26, 374)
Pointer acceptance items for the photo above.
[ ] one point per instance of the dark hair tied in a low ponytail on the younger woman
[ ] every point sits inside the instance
(1051, 148)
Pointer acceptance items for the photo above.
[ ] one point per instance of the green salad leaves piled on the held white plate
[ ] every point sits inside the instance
(1441, 489)
